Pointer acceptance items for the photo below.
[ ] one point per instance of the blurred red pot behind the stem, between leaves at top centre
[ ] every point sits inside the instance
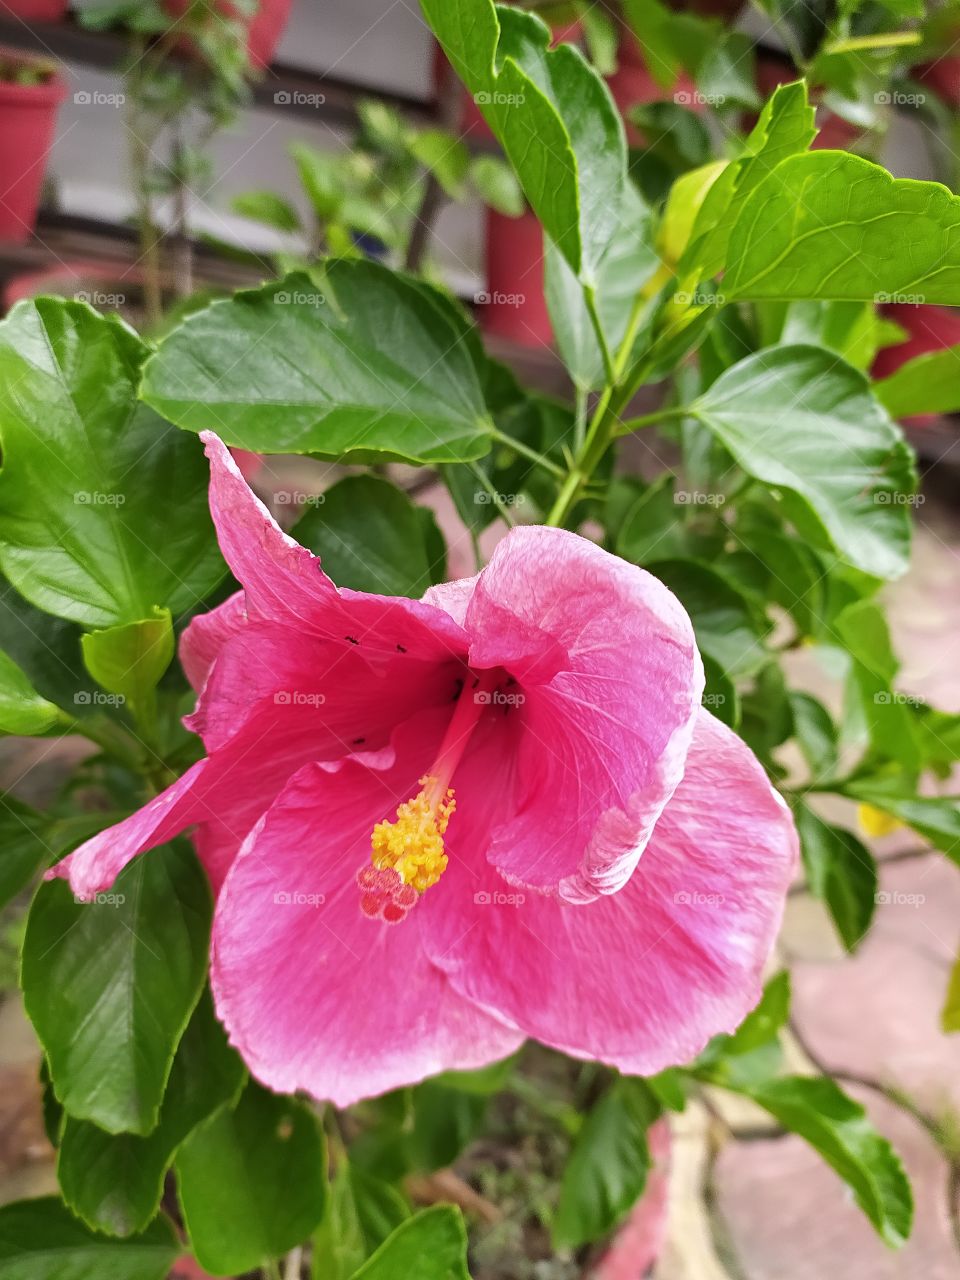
(514, 304)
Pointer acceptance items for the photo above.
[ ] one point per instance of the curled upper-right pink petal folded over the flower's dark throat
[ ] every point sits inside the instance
(610, 684)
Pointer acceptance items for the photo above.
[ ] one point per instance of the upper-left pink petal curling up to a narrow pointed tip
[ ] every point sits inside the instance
(285, 583)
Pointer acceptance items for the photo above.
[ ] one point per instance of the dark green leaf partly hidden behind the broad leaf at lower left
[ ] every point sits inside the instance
(115, 1182)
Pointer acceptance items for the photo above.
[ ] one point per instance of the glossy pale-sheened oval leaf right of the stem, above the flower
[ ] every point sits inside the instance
(803, 422)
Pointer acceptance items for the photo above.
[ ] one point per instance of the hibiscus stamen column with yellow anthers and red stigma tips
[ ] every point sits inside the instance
(409, 856)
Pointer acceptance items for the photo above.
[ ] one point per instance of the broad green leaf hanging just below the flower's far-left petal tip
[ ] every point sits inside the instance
(111, 985)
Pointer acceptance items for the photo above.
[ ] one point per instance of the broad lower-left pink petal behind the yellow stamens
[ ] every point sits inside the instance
(314, 994)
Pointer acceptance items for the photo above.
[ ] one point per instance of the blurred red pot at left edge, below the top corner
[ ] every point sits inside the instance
(28, 124)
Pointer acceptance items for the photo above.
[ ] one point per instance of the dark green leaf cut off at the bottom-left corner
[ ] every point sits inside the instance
(42, 1241)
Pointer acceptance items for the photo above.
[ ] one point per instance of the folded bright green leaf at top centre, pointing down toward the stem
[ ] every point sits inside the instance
(554, 116)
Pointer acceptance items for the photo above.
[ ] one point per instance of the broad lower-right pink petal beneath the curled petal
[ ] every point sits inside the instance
(642, 979)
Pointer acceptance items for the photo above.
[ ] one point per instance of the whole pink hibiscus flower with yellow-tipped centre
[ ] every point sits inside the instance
(438, 828)
